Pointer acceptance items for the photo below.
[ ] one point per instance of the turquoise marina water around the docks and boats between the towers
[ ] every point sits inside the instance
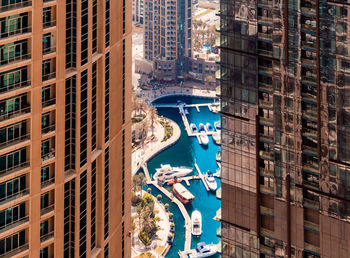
(184, 153)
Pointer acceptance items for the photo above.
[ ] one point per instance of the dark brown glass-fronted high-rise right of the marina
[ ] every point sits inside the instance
(285, 86)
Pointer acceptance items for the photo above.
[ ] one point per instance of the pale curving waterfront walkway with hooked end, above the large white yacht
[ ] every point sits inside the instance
(142, 155)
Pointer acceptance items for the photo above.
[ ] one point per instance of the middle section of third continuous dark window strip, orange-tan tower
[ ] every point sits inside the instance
(94, 106)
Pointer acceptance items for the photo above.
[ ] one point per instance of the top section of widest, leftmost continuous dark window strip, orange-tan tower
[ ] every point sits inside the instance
(71, 33)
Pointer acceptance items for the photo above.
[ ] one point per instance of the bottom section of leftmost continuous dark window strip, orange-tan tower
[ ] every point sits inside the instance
(69, 218)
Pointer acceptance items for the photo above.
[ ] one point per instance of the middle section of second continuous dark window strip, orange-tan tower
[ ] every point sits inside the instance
(83, 118)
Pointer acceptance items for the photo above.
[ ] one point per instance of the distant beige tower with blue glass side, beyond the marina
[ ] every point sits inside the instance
(167, 37)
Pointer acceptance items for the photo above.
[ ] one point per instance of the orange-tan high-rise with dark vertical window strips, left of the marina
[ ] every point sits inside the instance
(65, 128)
